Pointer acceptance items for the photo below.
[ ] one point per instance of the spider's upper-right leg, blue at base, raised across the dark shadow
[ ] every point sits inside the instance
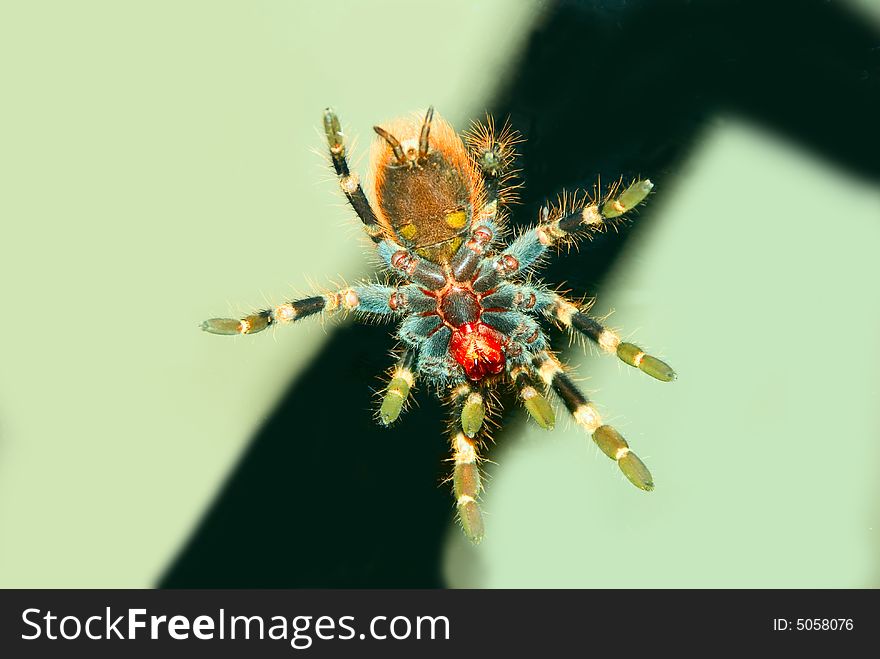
(533, 244)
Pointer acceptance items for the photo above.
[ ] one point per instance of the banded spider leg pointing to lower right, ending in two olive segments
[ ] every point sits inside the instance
(609, 440)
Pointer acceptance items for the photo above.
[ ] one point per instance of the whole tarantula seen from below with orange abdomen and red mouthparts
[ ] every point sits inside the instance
(467, 314)
